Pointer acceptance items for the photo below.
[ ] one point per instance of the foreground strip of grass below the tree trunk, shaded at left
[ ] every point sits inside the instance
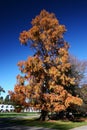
(60, 125)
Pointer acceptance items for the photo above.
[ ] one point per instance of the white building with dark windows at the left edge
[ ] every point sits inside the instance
(6, 108)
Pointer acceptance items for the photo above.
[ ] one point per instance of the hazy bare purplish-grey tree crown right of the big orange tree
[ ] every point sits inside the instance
(78, 69)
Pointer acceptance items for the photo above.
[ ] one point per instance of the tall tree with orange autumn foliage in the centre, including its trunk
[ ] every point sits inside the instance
(46, 74)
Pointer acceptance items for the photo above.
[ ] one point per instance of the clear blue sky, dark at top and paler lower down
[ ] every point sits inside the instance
(16, 15)
